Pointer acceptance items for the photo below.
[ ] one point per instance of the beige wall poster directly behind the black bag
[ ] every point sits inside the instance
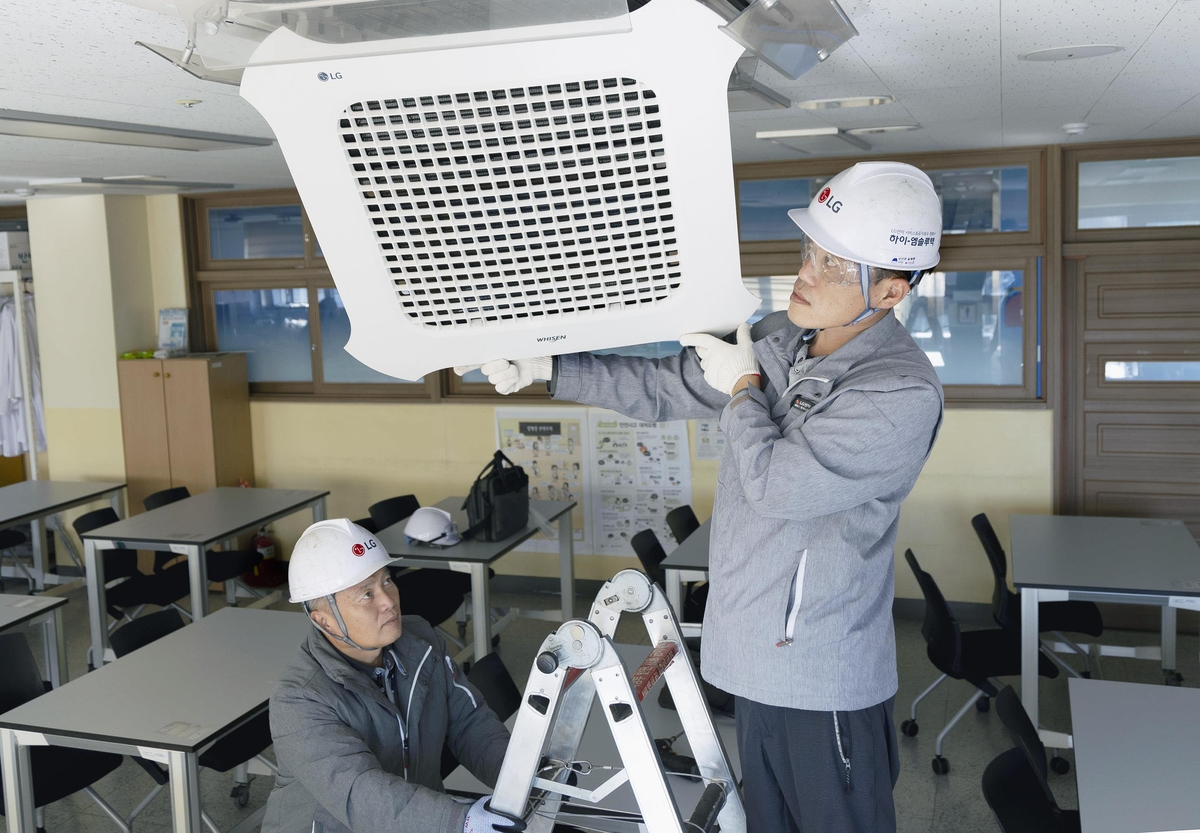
(550, 445)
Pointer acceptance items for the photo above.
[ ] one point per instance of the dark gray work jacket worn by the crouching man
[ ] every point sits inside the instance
(340, 746)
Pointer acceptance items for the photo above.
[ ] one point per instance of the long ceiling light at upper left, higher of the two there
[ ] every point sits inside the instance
(47, 127)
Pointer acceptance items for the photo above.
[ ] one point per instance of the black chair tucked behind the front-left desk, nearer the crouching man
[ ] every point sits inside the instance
(248, 741)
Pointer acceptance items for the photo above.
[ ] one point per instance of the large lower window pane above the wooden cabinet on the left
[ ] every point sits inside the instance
(272, 326)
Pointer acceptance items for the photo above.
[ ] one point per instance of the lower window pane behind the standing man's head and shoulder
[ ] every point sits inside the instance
(970, 326)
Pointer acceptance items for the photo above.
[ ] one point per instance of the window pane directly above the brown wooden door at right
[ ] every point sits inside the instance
(1139, 194)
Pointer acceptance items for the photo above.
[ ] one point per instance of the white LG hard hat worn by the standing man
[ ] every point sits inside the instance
(883, 214)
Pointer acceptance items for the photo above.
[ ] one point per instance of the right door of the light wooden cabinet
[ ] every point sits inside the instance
(190, 424)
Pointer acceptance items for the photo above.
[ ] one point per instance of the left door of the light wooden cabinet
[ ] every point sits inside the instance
(145, 429)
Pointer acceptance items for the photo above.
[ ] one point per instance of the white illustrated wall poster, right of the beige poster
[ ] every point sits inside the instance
(641, 471)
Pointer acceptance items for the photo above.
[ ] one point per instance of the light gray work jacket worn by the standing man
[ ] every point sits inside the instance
(807, 508)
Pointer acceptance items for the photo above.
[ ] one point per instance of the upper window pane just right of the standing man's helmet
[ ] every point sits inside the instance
(985, 200)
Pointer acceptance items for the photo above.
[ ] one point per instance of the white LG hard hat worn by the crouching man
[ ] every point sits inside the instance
(332, 556)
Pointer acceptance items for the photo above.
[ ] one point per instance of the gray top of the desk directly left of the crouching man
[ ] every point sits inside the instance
(194, 684)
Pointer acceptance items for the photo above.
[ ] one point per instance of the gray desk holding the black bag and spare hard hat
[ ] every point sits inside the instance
(476, 556)
